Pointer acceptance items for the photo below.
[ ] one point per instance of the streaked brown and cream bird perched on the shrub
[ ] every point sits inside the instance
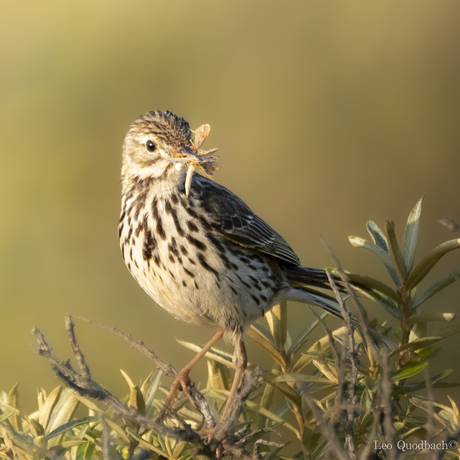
(202, 254)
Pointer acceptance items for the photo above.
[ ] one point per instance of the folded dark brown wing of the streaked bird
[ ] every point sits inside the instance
(232, 219)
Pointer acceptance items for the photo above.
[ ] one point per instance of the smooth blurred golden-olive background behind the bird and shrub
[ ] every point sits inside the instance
(326, 115)
